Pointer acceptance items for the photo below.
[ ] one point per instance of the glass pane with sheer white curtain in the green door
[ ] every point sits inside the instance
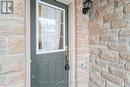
(50, 28)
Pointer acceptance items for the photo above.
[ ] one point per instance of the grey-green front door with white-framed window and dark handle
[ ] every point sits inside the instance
(49, 44)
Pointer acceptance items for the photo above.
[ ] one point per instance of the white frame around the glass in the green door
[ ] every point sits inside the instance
(37, 28)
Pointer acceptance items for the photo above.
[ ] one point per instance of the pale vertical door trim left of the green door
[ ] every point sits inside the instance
(28, 39)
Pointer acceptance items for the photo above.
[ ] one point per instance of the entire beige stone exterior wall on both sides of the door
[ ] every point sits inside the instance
(104, 46)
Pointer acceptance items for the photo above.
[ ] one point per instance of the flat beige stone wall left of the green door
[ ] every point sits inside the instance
(12, 47)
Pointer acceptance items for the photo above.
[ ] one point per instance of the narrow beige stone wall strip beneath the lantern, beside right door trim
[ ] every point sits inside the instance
(82, 47)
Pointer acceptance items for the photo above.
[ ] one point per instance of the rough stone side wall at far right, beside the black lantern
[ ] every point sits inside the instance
(109, 40)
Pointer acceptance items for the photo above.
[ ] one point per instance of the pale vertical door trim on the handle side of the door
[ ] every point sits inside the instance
(72, 46)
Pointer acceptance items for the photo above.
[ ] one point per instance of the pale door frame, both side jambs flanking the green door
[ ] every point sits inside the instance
(72, 45)
